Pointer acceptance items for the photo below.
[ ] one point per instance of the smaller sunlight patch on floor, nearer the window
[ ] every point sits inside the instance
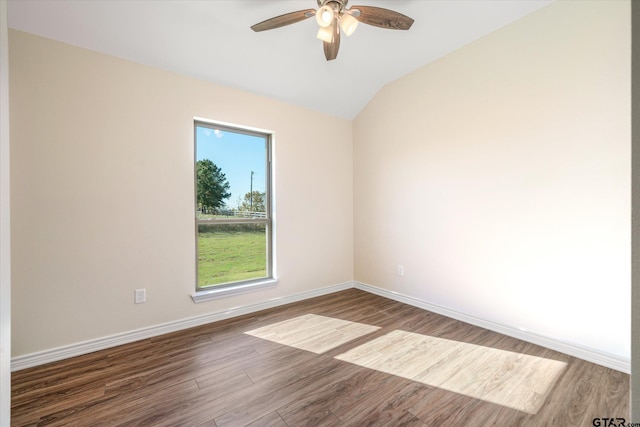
(312, 332)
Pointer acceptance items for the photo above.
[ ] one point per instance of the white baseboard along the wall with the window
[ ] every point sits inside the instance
(85, 347)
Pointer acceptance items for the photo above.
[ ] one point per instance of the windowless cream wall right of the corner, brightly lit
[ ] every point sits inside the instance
(499, 176)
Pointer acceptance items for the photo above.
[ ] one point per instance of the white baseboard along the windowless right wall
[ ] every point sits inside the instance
(608, 360)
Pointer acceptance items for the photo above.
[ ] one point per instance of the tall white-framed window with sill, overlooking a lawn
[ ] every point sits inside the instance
(232, 208)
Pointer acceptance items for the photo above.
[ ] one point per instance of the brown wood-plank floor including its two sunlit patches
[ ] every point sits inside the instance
(349, 358)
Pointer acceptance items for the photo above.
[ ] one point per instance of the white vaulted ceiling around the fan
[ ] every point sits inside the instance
(212, 40)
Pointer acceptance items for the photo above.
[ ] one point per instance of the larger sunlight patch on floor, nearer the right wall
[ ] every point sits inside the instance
(518, 381)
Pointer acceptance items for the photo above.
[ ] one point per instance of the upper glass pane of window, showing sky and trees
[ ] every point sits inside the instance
(230, 173)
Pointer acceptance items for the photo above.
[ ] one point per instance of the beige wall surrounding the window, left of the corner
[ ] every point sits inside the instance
(102, 189)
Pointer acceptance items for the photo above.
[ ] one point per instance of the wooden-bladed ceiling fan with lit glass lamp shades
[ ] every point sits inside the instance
(333, 15)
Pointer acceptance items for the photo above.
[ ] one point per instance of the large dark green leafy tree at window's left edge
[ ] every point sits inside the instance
(212, 186)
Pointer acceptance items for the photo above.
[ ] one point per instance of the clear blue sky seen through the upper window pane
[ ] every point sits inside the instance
(237, 155)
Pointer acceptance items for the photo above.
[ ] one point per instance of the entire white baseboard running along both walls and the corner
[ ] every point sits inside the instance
(40, 358)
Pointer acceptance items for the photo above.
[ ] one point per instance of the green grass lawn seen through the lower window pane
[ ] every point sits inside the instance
(230, 253)
